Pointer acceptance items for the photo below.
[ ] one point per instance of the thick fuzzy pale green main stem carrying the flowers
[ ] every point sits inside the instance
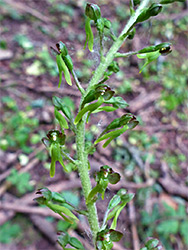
(80, 130)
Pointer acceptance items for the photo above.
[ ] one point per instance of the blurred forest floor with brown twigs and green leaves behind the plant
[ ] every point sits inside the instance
(152, 158)
